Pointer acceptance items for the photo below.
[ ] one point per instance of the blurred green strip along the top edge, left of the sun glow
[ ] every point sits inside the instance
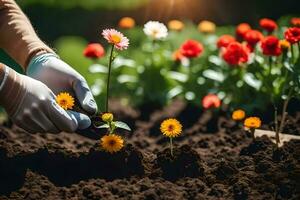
(86, 4)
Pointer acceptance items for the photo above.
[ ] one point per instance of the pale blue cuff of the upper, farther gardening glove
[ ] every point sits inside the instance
(37, 61)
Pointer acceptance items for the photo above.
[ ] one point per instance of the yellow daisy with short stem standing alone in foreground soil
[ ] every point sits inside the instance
(171, 128)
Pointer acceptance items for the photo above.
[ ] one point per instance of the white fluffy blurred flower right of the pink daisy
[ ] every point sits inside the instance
(155, 30)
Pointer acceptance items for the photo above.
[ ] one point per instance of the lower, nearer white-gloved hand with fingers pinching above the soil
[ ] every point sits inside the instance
(32, 106)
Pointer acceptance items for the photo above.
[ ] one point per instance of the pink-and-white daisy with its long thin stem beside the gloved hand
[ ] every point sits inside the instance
(118, 41)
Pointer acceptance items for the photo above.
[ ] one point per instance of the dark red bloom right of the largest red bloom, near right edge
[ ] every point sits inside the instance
(270, 46)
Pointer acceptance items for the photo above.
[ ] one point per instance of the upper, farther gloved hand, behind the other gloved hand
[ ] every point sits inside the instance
(60, 77)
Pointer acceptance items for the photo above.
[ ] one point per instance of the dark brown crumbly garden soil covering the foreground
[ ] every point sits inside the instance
(213, 159)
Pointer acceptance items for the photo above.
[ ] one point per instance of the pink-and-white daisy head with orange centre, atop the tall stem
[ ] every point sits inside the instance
(116, 38)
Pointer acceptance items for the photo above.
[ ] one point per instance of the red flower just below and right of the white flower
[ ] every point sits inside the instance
(191, 49)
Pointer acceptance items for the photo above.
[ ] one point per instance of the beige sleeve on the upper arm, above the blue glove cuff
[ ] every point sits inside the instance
(17, 36)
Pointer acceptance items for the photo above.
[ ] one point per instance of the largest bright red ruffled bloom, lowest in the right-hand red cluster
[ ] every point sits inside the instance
(236, 53)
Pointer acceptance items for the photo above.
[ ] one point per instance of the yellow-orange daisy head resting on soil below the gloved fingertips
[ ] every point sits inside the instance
(112, 143)
